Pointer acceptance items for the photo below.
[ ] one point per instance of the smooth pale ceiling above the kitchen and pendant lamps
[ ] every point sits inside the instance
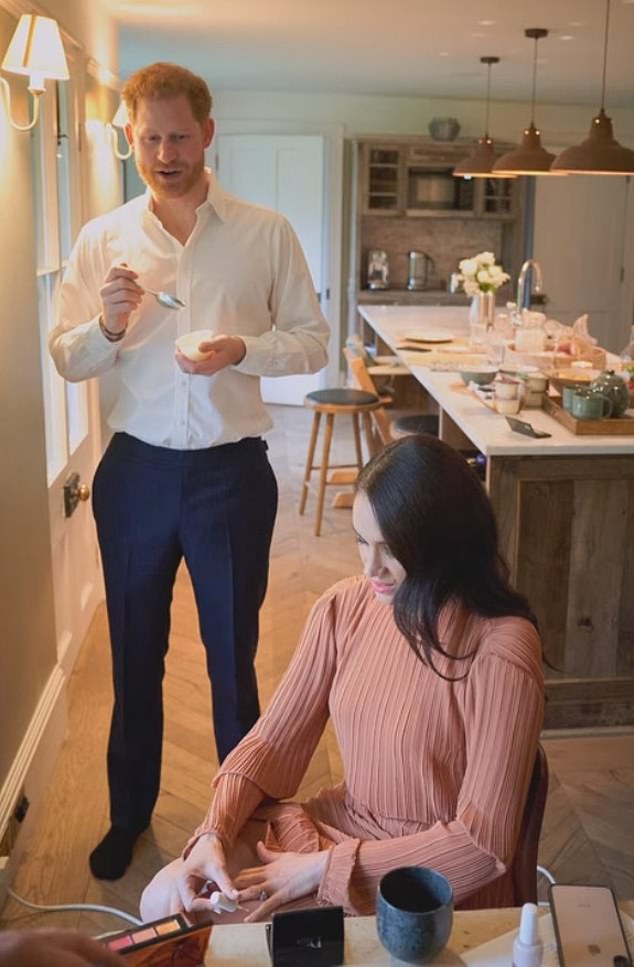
(387, 47)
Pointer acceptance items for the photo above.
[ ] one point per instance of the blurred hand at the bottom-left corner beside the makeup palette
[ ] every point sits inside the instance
(53, 948)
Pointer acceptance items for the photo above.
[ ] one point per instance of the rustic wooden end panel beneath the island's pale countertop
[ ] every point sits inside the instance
(566, 528)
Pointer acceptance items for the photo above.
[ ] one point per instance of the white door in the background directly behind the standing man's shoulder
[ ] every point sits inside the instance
(285, 173)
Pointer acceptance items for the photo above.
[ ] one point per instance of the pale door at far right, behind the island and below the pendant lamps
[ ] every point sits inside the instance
(580, 230)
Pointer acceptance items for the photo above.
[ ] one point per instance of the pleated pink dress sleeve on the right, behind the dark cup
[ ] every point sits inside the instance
(503, 717)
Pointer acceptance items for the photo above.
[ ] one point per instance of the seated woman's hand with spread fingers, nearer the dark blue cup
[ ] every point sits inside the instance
(282, 877)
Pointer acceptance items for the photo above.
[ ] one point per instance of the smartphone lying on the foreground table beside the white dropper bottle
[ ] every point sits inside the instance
(588, 926)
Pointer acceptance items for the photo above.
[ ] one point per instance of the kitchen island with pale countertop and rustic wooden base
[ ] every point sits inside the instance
(565, 513)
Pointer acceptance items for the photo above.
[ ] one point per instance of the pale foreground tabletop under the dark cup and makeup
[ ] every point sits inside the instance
(242, 944)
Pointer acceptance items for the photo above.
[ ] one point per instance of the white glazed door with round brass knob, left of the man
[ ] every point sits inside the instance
(70, 410)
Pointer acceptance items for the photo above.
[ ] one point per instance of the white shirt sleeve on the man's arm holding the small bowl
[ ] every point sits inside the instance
(298, 340)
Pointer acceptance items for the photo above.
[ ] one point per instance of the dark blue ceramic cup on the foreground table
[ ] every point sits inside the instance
(414, 913)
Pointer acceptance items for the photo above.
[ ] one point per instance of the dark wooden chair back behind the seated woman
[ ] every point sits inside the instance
(524, 865)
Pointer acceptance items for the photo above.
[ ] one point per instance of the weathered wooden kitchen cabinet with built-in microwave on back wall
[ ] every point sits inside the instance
(405, 197)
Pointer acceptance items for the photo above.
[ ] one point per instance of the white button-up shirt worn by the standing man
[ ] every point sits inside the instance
(241, 272)
